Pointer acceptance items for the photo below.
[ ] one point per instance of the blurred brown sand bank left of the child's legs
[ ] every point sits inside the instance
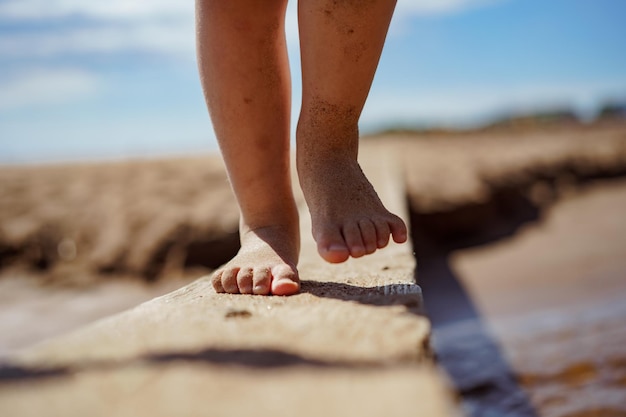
(144, 218)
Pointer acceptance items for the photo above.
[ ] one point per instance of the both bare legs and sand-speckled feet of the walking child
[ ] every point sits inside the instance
(245, 75)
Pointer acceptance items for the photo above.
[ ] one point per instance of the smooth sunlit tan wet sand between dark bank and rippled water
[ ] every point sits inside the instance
(574, 255)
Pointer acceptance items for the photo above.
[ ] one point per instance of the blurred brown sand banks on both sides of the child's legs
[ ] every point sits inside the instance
(163, 218)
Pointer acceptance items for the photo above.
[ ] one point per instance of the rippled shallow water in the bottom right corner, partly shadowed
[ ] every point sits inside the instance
(552, 363)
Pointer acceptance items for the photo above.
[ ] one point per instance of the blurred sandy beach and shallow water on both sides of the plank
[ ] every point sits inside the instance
(519, 237)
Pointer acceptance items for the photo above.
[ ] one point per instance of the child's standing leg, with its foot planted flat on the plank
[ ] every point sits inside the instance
(245, 75)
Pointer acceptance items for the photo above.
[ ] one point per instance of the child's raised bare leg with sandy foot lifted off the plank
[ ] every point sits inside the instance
(341, 43)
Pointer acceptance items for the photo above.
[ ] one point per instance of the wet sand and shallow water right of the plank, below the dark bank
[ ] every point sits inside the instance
(533, 324)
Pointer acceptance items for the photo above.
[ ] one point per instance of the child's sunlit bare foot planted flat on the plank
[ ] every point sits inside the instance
(265, 264)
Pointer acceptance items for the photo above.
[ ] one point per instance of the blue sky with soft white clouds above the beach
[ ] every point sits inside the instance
(89, 80)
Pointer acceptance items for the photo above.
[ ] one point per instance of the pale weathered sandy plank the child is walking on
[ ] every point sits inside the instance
(353, 342)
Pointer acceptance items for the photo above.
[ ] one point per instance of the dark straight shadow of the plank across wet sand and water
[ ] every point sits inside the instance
(467, 349)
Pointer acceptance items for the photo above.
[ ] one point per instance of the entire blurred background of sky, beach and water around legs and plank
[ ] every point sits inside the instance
(508, 118)
